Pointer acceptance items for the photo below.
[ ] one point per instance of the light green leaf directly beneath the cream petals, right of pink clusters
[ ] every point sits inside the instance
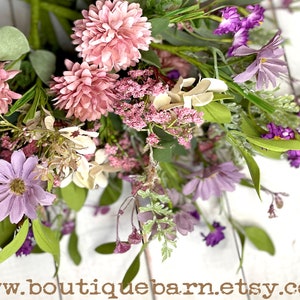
(215, 112)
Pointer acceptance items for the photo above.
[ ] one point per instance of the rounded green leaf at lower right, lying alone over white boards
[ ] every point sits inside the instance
(260, 239)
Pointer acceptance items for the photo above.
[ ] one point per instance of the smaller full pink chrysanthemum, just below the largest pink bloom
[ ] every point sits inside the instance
(84, 90)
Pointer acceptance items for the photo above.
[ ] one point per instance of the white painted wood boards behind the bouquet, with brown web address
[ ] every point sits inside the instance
(192, 261)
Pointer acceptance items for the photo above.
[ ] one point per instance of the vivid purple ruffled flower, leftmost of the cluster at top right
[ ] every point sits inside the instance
(231, 21)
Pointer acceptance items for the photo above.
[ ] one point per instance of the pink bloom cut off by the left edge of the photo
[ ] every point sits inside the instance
(6, 95)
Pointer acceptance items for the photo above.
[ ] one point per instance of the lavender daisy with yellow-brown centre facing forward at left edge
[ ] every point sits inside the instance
(21, 191)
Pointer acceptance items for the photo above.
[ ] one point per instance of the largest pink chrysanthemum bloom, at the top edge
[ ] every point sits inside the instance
(111, 34)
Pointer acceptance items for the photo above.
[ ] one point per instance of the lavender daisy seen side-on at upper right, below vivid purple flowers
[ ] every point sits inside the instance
(267, 66)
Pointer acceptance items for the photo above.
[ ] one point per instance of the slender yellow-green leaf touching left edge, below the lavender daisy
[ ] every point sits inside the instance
(16, 243)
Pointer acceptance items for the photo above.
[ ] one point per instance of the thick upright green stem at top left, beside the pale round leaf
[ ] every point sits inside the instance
(34, 24)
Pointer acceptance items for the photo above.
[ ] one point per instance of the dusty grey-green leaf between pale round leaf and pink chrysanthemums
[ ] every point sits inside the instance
(43, 62)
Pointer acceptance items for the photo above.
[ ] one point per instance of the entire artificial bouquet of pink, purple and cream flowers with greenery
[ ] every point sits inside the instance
(174, 98)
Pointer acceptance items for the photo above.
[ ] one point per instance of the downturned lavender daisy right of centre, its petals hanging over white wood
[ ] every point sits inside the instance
(212, 181)
